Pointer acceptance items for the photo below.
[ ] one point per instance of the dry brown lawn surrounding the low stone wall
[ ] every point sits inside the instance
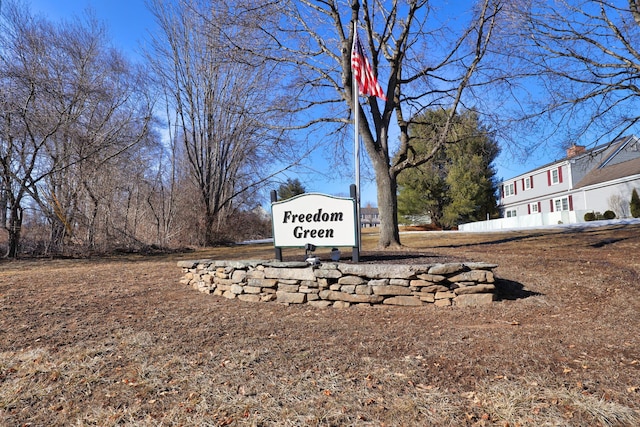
(118, 341)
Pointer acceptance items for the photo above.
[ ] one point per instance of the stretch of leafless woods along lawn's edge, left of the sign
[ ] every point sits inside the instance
(86, 163)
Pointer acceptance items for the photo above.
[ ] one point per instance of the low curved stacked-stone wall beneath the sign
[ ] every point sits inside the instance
(343, 284)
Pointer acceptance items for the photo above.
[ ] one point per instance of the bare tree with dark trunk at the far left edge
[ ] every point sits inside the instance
(25, 125)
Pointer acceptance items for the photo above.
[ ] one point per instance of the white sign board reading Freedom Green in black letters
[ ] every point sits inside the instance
(314, 218)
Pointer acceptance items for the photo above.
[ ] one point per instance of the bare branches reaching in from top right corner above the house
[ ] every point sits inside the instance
(584, 54)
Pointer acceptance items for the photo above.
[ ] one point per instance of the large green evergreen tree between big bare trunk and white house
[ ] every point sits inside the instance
(458, 185)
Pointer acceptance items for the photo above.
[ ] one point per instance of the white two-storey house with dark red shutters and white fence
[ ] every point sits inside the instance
(594, 180)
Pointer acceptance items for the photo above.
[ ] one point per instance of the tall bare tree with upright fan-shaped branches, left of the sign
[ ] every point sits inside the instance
(219, 104)
